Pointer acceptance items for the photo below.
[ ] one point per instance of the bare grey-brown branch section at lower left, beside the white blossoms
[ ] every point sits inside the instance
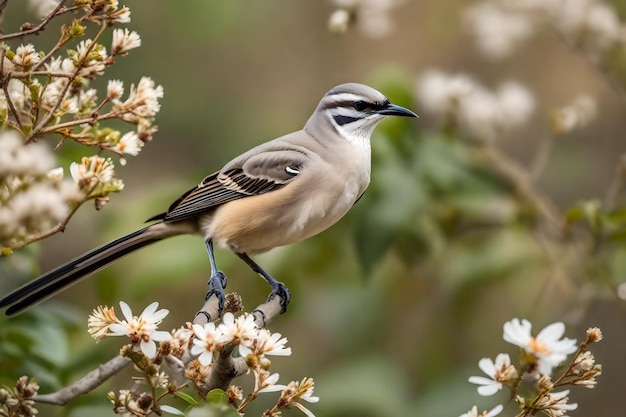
(86, 384)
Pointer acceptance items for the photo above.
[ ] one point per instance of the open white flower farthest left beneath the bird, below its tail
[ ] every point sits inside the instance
(142, 329)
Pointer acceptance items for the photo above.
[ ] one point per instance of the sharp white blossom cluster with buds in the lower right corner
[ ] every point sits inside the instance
(539, 356)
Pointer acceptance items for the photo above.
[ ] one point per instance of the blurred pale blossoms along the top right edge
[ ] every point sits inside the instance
(501, 26)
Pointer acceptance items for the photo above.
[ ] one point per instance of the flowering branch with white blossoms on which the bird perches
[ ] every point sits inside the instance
(215, 367)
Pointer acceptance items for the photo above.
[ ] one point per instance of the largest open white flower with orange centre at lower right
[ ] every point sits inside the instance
(548, 348)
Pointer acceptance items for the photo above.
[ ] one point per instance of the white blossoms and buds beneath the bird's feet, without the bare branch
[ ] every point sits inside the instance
(196, 347)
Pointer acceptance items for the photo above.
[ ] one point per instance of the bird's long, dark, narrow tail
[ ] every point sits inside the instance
(65, 275)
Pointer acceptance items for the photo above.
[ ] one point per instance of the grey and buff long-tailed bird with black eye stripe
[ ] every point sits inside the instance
(280, 192)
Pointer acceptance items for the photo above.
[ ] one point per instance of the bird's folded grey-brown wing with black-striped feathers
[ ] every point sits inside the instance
(250, 174)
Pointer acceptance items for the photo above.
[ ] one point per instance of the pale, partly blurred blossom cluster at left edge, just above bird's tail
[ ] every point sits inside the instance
(35, 196)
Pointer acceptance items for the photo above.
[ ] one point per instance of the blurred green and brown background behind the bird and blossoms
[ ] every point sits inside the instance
(393, 307)
